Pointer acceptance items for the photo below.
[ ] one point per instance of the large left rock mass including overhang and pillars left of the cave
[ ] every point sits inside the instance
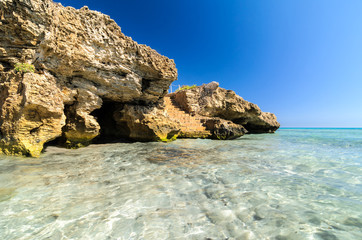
(82, 59)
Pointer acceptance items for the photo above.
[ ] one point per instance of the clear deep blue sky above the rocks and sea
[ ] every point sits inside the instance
(300, 59)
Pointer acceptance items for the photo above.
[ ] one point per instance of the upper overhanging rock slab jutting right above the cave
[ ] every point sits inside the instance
(84, 48)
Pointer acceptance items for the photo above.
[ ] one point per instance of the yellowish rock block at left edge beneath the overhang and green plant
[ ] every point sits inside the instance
(31, 113)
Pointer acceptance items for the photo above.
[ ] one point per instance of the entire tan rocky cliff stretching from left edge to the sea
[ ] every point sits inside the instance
(91, 82)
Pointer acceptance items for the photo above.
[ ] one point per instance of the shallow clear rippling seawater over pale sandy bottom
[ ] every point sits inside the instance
(294, 184)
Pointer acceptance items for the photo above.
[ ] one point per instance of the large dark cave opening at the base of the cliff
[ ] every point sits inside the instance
(110, 130)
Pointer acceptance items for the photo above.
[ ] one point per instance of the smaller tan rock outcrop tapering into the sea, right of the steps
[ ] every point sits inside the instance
(212, 101)
